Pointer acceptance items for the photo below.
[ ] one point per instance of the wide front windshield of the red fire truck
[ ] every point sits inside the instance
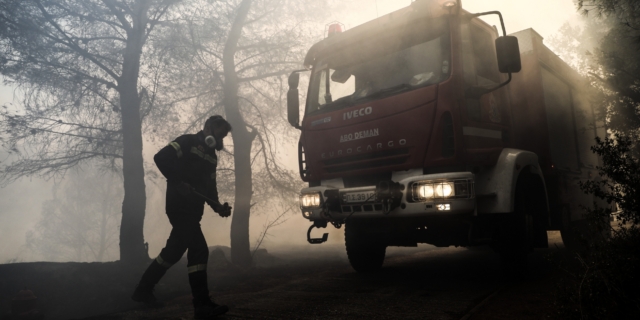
(381, 66)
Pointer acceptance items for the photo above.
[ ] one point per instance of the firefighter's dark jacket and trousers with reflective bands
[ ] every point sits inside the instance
(186, 159)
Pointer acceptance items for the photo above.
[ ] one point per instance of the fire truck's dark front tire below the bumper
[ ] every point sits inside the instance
(364, 253)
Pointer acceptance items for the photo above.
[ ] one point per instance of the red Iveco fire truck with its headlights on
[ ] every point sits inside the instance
(427, 126)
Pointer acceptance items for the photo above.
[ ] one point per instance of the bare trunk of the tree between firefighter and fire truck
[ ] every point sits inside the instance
(242, 141)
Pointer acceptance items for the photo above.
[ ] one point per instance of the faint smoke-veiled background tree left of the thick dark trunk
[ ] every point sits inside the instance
(80, 222)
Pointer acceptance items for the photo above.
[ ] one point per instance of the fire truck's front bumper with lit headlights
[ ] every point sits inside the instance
(340, 209)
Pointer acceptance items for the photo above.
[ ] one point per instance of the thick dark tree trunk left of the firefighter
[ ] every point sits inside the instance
(132, 248)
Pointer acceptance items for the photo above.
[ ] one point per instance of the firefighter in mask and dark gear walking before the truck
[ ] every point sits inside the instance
(189, 164)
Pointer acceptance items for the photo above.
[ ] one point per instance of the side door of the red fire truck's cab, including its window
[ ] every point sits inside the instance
(485, 120)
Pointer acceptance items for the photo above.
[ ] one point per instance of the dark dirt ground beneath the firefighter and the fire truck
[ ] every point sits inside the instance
(314, 283)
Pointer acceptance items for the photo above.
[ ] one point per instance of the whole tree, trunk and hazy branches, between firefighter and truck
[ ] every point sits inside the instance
(238, 54)
